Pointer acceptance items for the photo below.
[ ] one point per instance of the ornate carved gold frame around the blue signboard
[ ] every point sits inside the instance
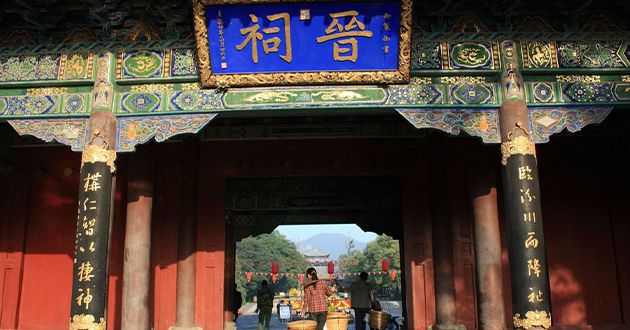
(298, 78)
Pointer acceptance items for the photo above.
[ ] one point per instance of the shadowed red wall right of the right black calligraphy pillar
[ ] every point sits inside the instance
(585, 204)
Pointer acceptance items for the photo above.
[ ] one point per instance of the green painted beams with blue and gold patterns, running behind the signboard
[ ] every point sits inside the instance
(446, 74)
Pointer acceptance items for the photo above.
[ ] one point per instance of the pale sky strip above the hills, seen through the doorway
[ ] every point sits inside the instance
(298, 233)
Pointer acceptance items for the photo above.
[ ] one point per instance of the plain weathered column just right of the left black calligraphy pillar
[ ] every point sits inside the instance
(137, 257)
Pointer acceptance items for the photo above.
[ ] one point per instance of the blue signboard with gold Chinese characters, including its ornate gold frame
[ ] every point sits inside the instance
(293, 43)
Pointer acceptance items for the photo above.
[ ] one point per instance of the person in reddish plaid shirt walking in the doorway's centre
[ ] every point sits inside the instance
(315, 293)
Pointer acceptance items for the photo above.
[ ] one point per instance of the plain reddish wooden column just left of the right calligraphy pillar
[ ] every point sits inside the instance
(483, 195)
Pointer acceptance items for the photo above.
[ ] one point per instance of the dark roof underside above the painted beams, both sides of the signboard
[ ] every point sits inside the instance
(38, 21)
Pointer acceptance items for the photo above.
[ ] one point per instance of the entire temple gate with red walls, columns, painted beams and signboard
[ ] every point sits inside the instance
(122, 124)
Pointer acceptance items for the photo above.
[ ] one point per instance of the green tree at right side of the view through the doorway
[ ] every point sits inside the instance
(369, 260)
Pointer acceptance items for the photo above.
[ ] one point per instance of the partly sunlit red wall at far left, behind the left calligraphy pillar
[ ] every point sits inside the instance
(37, 240)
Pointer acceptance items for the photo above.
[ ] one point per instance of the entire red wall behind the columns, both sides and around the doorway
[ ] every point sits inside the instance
(585, 209)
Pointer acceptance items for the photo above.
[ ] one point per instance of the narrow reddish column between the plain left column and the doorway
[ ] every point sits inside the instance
(187, 246)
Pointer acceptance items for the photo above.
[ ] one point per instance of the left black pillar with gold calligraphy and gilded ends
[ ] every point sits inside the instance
(89, 287)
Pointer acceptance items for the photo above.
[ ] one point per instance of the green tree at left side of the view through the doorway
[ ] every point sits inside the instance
(255, 254)
